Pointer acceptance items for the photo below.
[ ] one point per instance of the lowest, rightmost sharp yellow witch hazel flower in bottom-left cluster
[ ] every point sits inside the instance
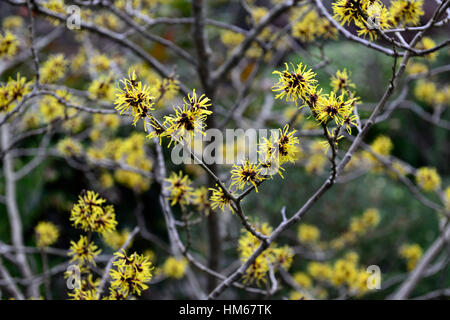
(131, 274)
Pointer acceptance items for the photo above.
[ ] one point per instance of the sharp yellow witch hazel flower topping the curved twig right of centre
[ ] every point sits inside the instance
(296, 84)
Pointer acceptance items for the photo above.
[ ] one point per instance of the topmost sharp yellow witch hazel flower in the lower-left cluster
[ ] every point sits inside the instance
(91, 214)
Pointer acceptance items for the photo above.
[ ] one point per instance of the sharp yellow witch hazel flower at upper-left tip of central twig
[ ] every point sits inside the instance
(136, 96)
